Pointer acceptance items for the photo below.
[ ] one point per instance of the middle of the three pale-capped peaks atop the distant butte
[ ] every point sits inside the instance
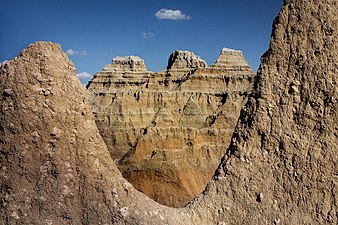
(185, 60)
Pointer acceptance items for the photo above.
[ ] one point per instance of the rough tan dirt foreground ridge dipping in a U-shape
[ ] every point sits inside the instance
(281, 167)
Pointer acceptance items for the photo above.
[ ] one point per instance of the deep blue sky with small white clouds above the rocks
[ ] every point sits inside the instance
(93, 32)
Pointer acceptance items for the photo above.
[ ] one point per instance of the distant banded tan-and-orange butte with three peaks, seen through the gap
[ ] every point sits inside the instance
(167, 131)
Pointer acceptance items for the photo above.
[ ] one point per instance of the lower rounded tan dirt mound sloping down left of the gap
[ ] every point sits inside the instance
(55, 167)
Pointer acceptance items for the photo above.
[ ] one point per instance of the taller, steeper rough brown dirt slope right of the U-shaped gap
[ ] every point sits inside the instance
(282, 165)
